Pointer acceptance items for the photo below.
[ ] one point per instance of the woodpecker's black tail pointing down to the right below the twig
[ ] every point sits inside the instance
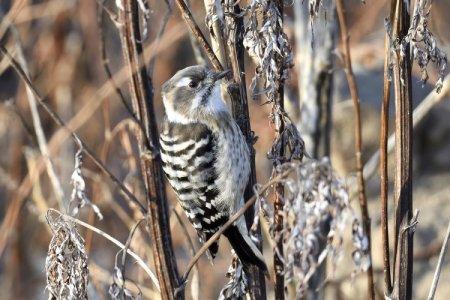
(245, 249)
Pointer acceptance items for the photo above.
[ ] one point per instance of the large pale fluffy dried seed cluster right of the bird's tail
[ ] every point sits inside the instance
(316, 213)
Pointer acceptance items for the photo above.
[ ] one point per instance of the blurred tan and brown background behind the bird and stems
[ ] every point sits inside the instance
(61, 43)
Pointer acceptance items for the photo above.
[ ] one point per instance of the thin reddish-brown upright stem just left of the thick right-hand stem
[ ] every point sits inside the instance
(384, 180)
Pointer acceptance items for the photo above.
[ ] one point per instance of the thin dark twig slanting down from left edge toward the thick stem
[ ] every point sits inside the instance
(74, 136)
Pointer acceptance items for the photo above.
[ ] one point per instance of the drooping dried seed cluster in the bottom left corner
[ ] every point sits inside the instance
(66, 263)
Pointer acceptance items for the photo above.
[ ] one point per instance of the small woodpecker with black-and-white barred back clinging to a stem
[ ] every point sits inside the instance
(206, 158)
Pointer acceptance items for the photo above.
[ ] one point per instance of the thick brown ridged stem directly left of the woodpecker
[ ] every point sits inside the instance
(142, 99)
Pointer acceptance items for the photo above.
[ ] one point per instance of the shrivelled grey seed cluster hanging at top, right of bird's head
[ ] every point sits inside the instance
(268, 46)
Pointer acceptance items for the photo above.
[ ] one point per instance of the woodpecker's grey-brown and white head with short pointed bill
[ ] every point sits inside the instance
(193, 94)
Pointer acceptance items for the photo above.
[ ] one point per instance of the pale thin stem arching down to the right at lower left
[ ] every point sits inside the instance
(139, 260)
